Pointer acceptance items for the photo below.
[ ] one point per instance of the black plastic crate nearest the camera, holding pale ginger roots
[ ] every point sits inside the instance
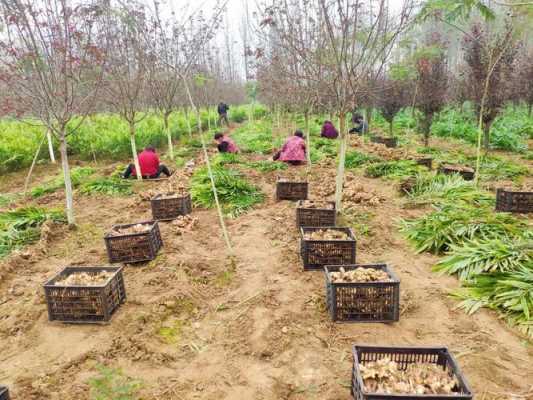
(405, 356)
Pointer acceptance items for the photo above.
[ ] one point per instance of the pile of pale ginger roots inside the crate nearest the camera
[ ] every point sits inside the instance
(385, 376)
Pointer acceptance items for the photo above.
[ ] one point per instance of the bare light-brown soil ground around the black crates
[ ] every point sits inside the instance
(198, 324)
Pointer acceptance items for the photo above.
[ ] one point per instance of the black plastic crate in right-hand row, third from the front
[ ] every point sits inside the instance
(318, 253)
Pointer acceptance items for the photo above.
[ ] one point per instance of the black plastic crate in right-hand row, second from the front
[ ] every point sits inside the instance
(363, 301)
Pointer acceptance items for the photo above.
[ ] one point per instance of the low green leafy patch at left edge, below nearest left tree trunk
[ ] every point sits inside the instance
(22, 226)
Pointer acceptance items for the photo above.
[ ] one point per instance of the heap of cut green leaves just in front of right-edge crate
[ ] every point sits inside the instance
(453, 224)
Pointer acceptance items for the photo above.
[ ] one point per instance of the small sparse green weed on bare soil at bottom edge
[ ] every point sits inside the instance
(112, 384)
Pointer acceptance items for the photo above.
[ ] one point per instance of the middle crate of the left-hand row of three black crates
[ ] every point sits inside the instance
(136, 247)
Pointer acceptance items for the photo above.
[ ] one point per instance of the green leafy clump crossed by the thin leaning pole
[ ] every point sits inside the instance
(236, 195)
